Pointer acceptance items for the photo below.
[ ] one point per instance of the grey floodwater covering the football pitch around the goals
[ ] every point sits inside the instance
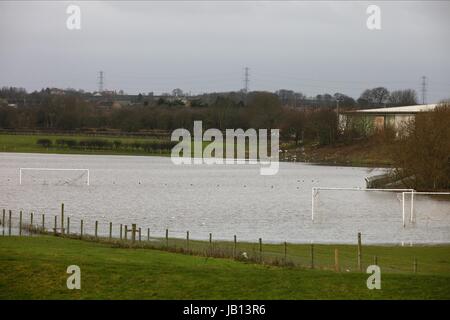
(223, 200)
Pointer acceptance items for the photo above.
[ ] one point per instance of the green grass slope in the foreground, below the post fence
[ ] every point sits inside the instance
(35, 268)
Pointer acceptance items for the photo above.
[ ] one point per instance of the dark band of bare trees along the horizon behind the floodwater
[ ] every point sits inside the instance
(297, 116)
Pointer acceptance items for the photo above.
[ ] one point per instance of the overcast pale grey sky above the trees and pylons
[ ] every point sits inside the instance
(311, 47)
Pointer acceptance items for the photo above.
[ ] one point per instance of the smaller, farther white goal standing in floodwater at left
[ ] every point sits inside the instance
(54, 176)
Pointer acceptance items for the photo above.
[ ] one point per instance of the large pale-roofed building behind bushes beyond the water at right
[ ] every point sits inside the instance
(370, 120)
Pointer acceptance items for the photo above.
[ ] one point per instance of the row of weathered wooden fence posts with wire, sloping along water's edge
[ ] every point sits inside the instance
(123, 236)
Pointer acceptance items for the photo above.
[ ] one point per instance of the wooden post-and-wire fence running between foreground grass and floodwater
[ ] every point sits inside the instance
(340, 258)
